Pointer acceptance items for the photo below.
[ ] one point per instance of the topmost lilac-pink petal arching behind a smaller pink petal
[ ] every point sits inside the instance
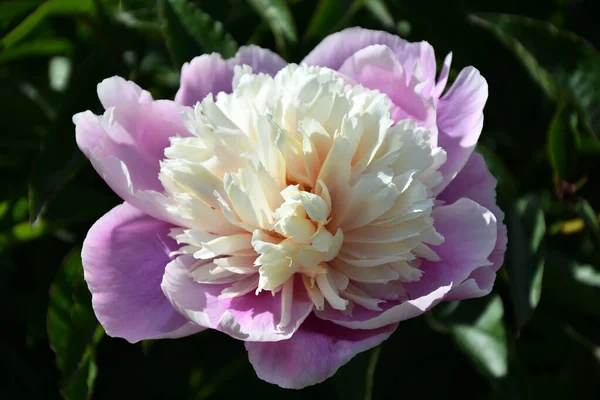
(335, 49)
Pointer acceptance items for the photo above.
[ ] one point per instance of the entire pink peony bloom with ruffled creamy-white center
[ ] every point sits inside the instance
(304, 209)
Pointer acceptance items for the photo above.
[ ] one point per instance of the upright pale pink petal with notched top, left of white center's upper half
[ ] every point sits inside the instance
(126, 144)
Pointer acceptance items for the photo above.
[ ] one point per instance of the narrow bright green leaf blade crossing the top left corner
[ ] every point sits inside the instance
(50, 7)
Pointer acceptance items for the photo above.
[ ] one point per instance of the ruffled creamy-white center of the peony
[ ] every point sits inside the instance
(303, 175)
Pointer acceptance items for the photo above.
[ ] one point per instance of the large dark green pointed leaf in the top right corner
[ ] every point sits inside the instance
(558, 60)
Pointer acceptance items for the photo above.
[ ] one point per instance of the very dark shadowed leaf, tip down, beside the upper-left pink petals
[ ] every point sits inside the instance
(60, 158)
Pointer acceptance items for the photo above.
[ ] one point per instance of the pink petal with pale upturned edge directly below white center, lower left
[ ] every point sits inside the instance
(249, 317)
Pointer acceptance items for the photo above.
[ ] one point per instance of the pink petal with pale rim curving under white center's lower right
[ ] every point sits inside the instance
(469, 231)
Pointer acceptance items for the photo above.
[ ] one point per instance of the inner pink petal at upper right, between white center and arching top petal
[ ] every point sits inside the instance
(377, 67)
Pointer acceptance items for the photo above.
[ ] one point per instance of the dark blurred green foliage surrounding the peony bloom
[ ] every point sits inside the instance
(536, 337)
